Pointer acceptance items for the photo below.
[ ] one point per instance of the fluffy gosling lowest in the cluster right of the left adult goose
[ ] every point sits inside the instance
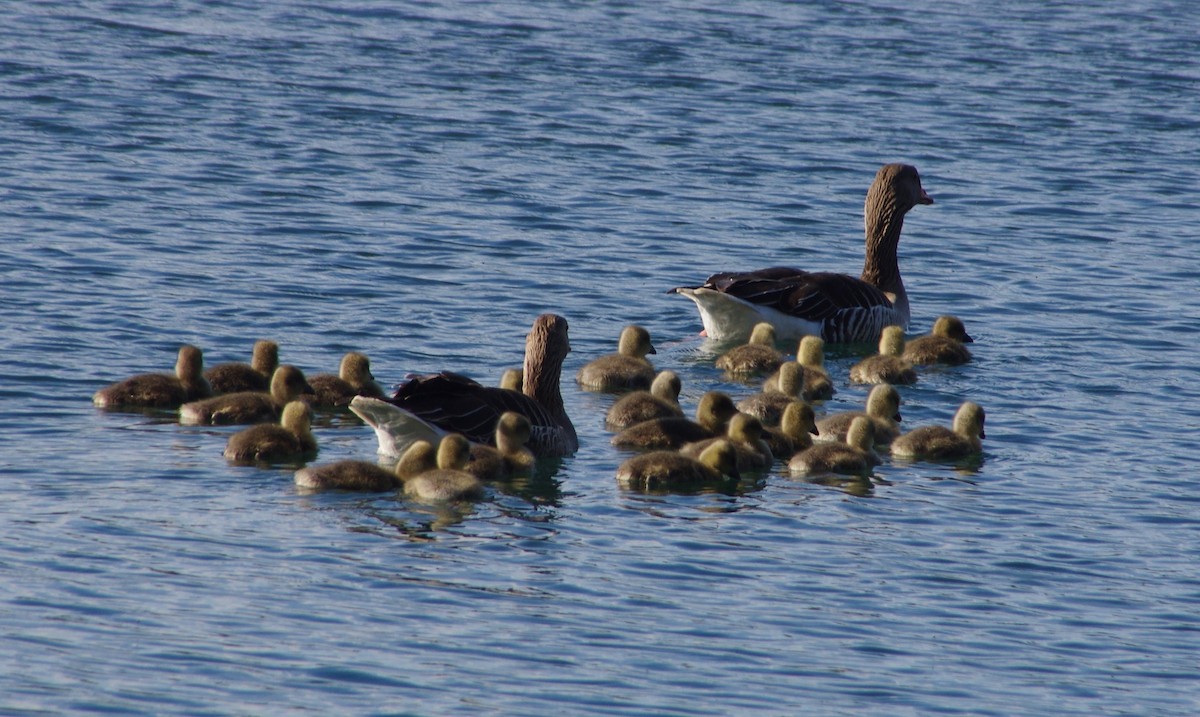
(667, 471)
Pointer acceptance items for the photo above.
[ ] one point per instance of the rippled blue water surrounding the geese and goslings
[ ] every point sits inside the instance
(418, 182)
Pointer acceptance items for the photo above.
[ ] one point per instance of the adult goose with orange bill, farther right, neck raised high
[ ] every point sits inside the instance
(837, 308)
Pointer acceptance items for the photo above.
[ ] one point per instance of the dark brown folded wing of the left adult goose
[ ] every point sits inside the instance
(459, 405)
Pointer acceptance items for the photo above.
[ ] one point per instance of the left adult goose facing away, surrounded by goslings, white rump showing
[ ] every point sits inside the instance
(430, 407)
